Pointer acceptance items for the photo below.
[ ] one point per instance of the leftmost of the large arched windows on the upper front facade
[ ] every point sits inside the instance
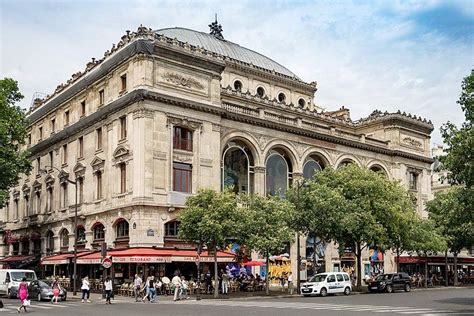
(237, 168)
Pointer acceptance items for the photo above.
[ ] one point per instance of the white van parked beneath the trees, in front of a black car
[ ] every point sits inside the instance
(327, 283)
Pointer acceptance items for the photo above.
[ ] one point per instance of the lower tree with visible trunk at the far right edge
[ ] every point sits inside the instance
(452, 211)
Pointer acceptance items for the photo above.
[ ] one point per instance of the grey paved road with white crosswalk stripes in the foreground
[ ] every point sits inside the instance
(423, 303)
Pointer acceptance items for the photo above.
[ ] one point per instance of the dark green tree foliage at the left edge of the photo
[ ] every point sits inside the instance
(13, 123)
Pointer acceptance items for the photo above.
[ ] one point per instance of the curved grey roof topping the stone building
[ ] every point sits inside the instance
(224, 47)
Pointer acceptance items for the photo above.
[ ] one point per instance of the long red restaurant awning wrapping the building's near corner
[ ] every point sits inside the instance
(154, 255)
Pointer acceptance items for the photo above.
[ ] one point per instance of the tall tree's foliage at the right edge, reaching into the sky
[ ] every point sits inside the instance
(460, 141)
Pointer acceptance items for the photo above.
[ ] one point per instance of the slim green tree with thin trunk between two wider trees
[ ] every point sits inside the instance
(269, 229)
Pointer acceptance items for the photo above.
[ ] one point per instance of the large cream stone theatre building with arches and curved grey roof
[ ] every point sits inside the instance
(167, 112)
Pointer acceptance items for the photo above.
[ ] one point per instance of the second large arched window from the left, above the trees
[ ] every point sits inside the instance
(278, 173)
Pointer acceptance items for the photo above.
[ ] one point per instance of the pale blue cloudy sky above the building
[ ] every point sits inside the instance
(365, 55)
